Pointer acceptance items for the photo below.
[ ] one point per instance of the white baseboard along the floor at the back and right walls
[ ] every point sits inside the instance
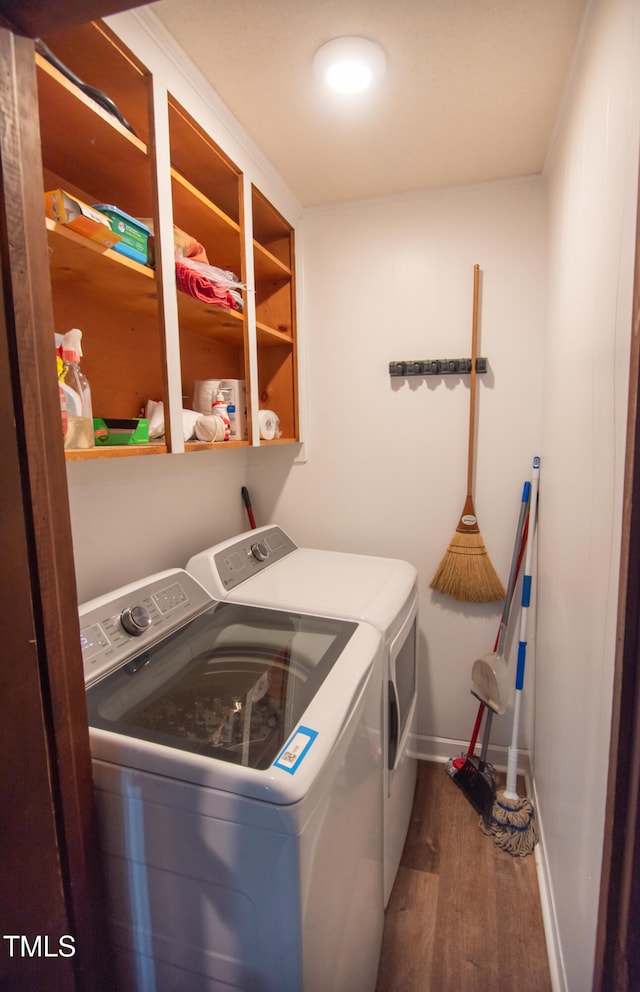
(441, 749)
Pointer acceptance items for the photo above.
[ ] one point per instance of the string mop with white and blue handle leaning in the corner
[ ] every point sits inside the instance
(513, 822)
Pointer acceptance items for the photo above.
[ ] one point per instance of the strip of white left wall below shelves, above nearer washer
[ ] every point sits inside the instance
(131, 517)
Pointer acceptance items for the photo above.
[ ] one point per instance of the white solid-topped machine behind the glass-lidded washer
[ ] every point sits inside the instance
(265, 567)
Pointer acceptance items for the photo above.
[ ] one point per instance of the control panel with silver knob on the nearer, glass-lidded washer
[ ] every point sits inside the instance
(115, 627)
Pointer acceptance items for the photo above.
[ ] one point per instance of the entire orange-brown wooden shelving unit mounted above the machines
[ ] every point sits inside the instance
(119, 304)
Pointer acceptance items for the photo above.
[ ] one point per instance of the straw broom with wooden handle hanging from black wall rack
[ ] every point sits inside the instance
(466, 572)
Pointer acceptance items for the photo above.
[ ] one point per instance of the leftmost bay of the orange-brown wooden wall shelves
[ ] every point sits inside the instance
(87, 152)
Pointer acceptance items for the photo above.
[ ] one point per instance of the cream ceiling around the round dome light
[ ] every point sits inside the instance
(471, 92)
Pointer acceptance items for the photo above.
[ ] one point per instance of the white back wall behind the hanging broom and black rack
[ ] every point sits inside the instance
(387, 458)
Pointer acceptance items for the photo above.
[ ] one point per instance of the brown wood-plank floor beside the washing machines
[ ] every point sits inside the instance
(463, 916)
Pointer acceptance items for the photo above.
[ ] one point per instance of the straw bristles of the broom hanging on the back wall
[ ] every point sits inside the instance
(466, 572)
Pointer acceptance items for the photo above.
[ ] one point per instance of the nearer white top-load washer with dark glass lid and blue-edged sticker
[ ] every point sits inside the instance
(237, 768)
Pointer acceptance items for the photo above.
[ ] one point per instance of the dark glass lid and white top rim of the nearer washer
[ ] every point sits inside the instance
(250, 688)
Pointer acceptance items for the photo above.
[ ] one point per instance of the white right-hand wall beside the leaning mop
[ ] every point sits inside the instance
(593, 176)
